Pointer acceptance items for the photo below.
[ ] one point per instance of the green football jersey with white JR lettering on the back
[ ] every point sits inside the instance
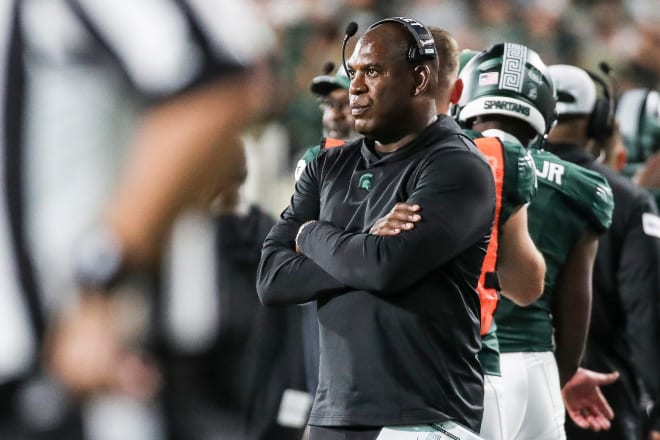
(570, 200)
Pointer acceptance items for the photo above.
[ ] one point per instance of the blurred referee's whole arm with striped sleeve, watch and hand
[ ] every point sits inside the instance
(179, 154)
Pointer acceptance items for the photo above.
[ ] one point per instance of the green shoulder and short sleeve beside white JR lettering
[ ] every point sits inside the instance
(588, 190)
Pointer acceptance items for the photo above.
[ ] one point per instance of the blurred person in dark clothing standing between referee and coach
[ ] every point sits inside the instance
(230, 365)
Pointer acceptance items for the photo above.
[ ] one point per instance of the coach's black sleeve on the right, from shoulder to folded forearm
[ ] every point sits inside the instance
(456, 193)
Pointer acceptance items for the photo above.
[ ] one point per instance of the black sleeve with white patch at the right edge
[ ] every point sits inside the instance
(639, 280)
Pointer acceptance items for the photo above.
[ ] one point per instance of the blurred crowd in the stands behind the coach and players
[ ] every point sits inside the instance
(623, 33)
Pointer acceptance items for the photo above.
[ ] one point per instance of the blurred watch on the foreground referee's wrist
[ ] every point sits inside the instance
(98, 258)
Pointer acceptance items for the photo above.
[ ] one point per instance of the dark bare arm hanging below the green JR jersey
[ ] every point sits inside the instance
(571, 305)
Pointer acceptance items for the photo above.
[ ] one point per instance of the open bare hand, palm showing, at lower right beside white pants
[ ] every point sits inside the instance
(584, 401)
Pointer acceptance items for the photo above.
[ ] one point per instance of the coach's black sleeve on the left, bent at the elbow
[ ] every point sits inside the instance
(285, 277)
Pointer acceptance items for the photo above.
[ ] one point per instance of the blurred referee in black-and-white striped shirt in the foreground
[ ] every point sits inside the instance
(99, 83)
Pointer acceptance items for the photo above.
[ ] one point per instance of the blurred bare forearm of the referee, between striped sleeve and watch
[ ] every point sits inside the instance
(181, 149)
